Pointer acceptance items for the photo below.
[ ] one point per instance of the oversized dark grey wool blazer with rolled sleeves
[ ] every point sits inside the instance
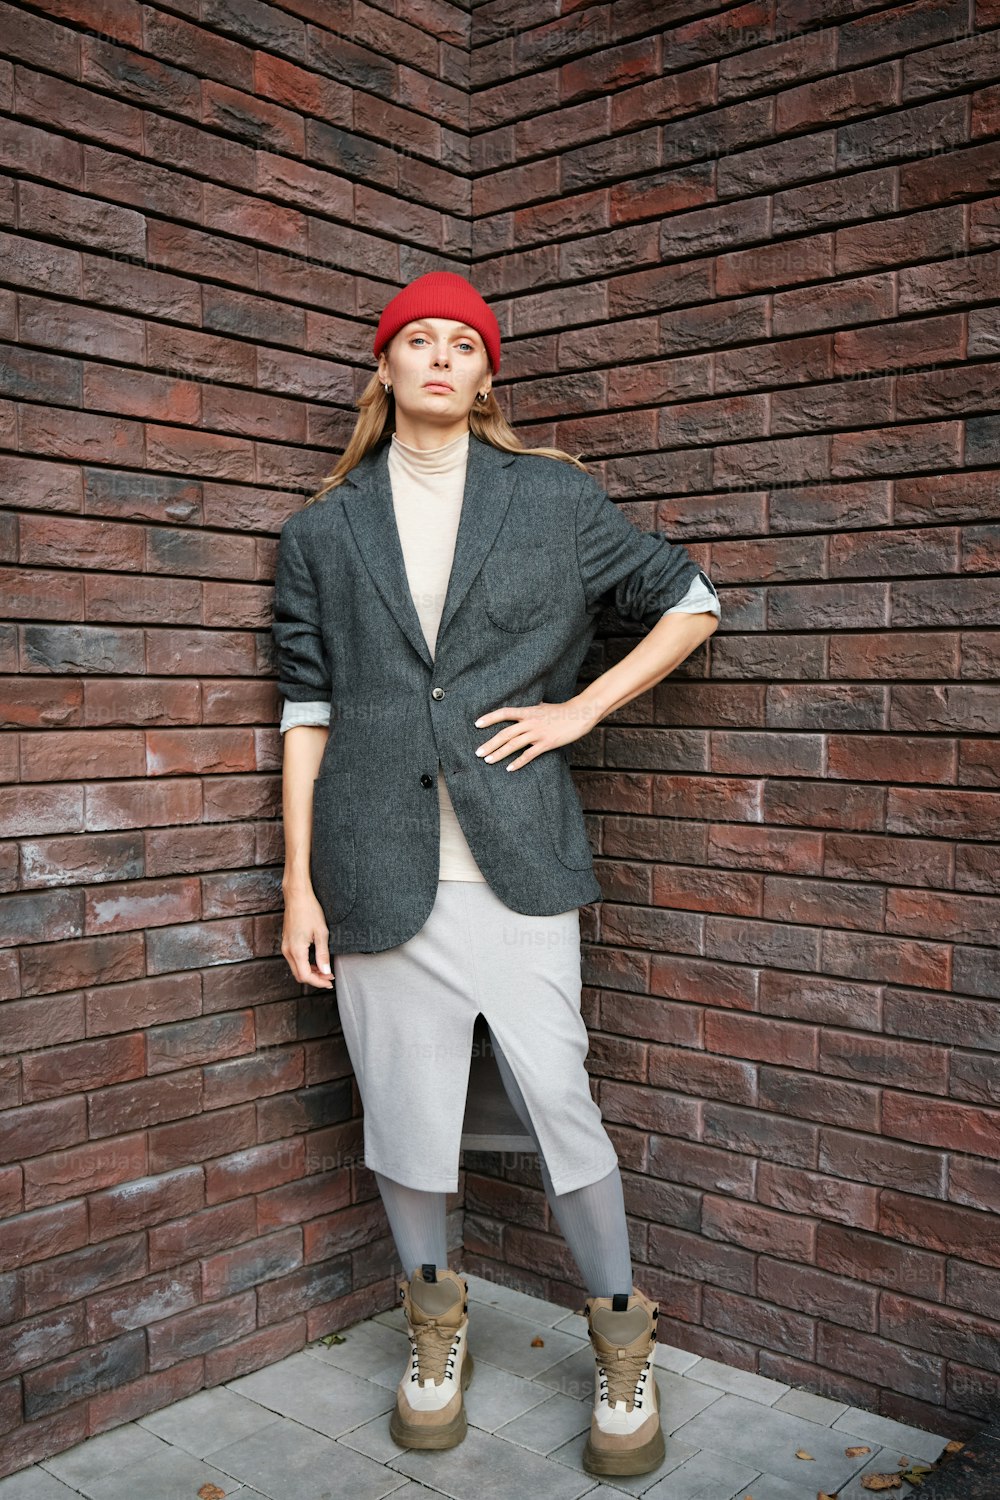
(540, 551)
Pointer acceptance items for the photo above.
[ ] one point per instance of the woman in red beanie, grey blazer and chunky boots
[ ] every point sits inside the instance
(445, 581)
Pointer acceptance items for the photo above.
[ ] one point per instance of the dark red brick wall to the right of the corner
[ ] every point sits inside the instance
(755, 268)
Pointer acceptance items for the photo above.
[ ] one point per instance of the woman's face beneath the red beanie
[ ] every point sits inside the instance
(436, 350)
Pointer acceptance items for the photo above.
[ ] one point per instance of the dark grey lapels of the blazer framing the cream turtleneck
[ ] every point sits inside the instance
(368, 502)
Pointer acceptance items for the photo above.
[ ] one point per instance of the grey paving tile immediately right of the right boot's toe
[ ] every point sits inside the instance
(755, 1435)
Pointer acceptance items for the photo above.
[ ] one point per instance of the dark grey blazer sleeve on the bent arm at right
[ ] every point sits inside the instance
(641, 572)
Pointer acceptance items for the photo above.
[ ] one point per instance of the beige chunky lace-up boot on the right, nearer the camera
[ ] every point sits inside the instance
(626, 1436)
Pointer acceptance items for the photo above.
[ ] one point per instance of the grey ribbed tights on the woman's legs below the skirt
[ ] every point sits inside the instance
(591, 1219)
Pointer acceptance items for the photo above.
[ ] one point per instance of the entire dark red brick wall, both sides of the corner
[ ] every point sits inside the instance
(747, 265)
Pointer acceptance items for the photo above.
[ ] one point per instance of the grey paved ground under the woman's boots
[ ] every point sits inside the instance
(316, 1427)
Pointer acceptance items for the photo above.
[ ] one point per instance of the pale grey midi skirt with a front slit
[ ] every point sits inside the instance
(409, 1016)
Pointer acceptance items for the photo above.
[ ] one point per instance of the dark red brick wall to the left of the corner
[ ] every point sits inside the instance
(200, 223)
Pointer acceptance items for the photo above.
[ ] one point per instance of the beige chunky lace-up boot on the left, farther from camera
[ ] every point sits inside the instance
(430, 1403)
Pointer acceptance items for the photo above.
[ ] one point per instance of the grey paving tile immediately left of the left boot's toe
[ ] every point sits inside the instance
(314, 1394)
